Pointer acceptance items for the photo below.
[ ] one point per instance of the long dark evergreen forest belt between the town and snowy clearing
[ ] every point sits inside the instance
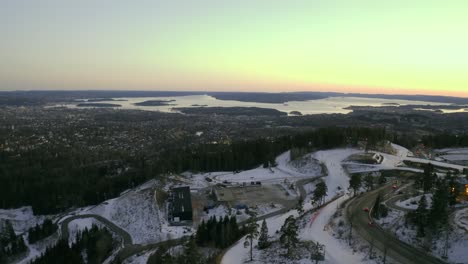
(54, 178)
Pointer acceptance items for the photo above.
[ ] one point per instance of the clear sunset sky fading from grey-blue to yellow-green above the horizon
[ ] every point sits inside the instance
(365, 46)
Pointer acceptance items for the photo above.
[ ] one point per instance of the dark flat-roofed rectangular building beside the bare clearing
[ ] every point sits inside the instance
(180, 205)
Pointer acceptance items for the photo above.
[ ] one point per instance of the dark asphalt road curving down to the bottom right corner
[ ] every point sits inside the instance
(381, 239)
